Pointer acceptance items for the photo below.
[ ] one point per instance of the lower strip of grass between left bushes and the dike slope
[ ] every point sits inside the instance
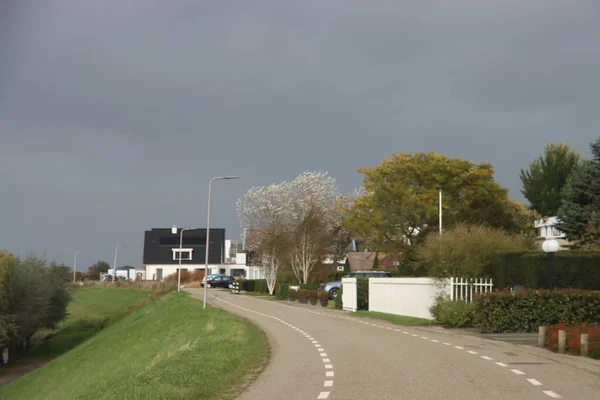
(90, 310)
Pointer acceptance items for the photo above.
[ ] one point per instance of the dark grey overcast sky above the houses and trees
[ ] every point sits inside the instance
(114, 115)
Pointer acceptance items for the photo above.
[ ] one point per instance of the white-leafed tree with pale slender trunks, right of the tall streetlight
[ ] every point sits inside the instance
(305, 212)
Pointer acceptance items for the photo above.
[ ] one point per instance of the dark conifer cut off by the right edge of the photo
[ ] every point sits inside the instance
(579, 214)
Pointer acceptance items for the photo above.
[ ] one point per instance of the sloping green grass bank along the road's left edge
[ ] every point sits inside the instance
(168, 349)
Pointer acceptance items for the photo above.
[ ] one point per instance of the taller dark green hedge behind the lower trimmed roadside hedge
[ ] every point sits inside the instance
(571, 270)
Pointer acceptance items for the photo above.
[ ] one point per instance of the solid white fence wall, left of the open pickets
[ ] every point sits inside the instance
(403, 296)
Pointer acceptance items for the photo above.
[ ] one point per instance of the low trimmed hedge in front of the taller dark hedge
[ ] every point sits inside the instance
(527, 310)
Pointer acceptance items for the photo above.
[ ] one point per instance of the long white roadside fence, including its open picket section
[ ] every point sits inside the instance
(412, 296)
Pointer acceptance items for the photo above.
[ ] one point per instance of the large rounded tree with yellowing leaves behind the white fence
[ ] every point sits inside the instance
(398, 202)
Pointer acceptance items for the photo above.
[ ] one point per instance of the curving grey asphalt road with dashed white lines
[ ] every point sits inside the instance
(326, 354)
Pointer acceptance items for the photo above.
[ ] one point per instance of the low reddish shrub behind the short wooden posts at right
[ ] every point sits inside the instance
(574, 338)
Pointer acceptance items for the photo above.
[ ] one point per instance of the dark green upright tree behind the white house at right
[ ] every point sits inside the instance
(546, 178)
